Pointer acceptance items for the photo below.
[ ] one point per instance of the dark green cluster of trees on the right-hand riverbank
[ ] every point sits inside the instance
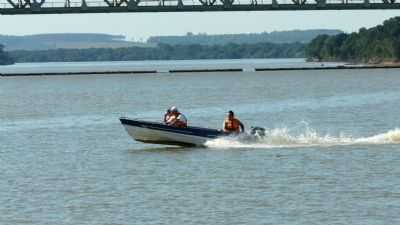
(374, 45)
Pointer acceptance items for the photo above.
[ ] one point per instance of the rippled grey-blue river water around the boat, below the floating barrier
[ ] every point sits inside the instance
(331, 155)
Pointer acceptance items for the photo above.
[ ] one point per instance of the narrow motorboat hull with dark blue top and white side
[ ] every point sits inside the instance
(159, 133)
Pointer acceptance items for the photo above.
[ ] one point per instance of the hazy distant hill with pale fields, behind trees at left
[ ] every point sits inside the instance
(74, 41)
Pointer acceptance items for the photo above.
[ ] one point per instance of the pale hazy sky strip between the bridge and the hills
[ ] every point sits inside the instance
(142, 25)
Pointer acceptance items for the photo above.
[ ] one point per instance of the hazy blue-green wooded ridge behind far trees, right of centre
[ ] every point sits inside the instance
(302, 36)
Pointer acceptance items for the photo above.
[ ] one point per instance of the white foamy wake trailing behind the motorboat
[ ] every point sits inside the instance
(283, 138)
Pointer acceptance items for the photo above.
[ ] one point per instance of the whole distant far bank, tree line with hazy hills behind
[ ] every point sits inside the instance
(103, 47)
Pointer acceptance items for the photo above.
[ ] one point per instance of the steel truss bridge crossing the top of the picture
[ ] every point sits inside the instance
(15, 7)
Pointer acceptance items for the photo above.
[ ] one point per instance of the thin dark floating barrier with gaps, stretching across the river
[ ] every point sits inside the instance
(340, 67)
